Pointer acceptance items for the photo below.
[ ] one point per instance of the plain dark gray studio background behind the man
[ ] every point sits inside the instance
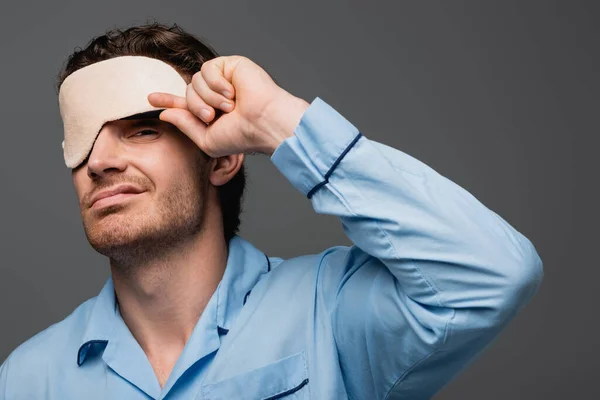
(491, 94)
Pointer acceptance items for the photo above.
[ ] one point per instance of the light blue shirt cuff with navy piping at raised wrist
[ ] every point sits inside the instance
(321, 140)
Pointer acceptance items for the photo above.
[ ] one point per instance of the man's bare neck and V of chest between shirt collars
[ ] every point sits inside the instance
(162, 300)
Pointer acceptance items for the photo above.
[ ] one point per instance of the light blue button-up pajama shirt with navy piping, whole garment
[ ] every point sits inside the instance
(431, 279)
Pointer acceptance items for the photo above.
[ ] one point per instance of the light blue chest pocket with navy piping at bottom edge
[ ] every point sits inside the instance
(284, 379)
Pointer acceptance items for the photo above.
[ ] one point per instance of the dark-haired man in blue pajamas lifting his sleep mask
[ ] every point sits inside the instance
(194, 311)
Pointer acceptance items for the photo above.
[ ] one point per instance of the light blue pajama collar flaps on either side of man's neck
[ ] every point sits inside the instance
(245, 267)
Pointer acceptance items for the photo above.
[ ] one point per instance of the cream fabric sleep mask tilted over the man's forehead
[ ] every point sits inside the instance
(107, 91)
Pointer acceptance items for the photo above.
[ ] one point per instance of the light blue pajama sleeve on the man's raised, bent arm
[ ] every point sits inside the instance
(433, 275)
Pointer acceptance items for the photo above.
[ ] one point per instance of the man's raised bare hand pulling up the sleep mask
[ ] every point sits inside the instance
(258, 114)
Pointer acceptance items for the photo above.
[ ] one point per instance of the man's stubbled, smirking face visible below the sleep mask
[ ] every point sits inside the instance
(160, 162)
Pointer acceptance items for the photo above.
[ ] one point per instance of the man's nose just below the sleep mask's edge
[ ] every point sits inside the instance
(106, 155)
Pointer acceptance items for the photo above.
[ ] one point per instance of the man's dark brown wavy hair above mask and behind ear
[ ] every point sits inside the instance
(184, 52)
